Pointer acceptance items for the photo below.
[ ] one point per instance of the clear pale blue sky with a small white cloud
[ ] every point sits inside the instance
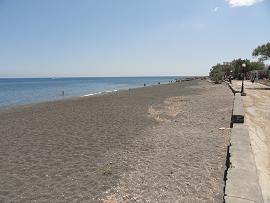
(53, 38)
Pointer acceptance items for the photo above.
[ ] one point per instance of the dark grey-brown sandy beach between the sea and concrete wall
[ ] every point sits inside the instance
(154, 144)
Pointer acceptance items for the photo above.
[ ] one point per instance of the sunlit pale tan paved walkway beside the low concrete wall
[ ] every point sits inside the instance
(257, 119)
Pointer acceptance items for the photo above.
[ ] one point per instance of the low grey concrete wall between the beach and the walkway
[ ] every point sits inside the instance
(242, 184)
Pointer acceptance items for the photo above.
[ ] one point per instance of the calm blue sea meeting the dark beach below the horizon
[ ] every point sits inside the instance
(17, 91)
